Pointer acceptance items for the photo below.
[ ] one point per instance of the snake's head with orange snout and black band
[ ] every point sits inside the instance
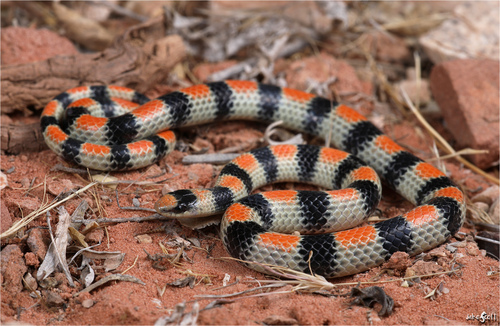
(184, 203)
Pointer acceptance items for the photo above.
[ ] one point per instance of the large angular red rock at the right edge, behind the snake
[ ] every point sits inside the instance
(467, 91)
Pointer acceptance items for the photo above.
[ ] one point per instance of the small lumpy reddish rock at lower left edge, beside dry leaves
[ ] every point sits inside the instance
(12, 268)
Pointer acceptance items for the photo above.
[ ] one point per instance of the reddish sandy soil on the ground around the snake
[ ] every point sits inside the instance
(468, 292)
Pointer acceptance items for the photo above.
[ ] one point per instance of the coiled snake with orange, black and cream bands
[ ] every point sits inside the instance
(113, 128)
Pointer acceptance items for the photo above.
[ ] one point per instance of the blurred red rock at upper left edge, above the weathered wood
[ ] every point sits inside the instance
(23, 45)
